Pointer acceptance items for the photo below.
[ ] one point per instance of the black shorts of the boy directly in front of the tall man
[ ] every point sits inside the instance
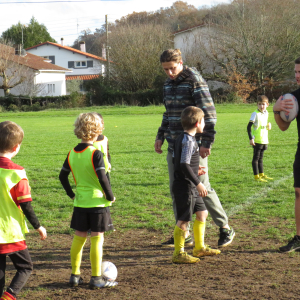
(187, 201)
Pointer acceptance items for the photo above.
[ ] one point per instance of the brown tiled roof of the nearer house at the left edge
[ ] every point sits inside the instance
(29, 60)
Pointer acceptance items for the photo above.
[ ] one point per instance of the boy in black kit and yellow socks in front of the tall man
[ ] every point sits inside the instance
(188, 190)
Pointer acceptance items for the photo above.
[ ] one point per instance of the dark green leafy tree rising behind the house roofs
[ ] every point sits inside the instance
(33, 34)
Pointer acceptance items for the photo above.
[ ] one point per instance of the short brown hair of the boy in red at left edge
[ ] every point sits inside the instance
(11, 134)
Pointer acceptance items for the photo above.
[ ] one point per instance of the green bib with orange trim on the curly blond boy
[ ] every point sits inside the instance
(89, 192)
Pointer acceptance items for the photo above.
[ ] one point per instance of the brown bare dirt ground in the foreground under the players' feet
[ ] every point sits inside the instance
(251, 268)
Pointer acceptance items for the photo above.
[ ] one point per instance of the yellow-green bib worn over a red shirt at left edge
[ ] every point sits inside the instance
(12, 220)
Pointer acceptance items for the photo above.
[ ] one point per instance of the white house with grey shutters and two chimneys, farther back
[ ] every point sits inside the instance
(85, 66)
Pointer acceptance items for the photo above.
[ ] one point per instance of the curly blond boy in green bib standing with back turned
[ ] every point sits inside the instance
(92, 200)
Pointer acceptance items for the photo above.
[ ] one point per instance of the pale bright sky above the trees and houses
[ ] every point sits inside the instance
(67, 18)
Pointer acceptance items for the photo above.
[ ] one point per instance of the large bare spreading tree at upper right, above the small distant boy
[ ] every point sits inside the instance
(257, 40)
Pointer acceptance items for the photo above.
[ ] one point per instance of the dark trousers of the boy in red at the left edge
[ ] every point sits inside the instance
(23, 264)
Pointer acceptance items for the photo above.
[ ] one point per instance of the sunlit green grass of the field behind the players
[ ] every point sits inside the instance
(140, 176)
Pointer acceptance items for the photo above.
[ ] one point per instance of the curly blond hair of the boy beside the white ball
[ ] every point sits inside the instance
(88, 126)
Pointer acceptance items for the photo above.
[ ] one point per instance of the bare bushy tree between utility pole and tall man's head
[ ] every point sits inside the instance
(135, 52)
